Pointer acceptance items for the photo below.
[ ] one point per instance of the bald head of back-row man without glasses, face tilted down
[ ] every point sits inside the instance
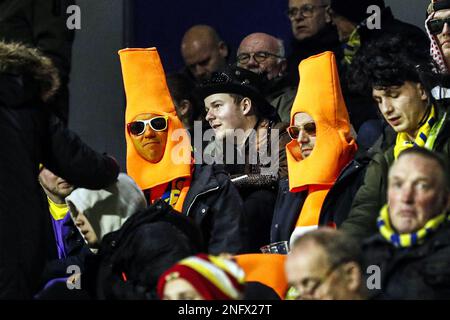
(203, 51)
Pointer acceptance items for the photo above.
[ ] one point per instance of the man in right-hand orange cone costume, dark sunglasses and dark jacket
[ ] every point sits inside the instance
(321, 147)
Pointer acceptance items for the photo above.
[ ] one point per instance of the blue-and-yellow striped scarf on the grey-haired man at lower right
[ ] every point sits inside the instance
(408, 239)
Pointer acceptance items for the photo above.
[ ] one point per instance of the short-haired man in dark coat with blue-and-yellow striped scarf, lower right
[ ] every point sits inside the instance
(412, 246)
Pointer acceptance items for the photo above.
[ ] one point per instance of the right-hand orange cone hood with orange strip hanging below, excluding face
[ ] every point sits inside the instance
(319, 95)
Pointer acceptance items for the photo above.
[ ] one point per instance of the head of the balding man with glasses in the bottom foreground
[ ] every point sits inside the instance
(325, 265)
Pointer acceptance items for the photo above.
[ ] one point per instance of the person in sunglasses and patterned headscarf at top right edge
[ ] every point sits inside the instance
(438, 29)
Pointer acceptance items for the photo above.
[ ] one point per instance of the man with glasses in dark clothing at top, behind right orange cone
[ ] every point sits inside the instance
(312, 32)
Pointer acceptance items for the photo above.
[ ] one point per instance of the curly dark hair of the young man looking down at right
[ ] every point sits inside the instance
(389, 60)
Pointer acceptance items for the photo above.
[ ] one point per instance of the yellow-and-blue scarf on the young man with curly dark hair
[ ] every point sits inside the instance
(425, 137)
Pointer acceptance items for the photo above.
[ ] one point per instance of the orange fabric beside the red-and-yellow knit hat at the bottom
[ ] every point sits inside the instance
(267, 269)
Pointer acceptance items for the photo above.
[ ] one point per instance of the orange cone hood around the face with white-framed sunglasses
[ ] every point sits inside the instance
(146, 91)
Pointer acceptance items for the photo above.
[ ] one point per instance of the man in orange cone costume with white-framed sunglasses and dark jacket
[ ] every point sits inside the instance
(159, 157)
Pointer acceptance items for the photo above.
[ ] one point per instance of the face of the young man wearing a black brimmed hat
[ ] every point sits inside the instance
(223, 114)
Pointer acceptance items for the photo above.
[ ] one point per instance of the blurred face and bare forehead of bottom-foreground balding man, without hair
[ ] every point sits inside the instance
(309, 272)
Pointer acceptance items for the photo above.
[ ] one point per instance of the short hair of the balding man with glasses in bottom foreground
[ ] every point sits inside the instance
(339, 247)
